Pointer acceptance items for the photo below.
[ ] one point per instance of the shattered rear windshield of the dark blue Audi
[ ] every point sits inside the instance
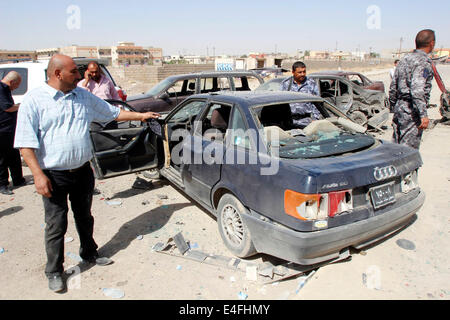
(331, 135)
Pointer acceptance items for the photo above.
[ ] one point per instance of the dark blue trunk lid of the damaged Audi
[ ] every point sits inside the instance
(354, 170)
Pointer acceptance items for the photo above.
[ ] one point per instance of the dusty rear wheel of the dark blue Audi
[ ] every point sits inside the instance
(232, 228)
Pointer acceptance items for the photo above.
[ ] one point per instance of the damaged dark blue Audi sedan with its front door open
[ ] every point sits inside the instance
(301, 194)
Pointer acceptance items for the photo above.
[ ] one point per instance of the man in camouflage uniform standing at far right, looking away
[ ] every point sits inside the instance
(409, 92)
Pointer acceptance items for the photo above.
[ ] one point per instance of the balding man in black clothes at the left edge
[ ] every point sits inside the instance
(9, 157)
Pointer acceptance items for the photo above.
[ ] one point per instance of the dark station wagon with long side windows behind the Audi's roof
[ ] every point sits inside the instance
(171, 91)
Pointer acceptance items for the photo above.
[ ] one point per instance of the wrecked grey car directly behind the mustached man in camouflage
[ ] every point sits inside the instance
(369, 108)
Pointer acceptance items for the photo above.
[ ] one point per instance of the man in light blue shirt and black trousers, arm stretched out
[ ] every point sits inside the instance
(52, 134)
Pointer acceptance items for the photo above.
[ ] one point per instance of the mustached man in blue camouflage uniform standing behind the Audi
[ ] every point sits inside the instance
(302, 113)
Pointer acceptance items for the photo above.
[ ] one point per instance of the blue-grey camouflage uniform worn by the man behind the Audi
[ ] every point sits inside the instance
(302, 113)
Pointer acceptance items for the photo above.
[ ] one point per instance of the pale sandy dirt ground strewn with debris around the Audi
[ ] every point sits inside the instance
(127, 228)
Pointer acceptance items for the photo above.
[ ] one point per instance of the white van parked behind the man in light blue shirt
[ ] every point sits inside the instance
(34, 74)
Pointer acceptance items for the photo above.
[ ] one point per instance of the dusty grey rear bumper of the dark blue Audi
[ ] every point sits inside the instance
(309, 248)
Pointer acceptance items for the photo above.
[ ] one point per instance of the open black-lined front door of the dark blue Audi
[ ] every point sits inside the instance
(122, 147)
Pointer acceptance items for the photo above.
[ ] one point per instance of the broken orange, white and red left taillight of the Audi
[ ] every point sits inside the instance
(317, 206)
